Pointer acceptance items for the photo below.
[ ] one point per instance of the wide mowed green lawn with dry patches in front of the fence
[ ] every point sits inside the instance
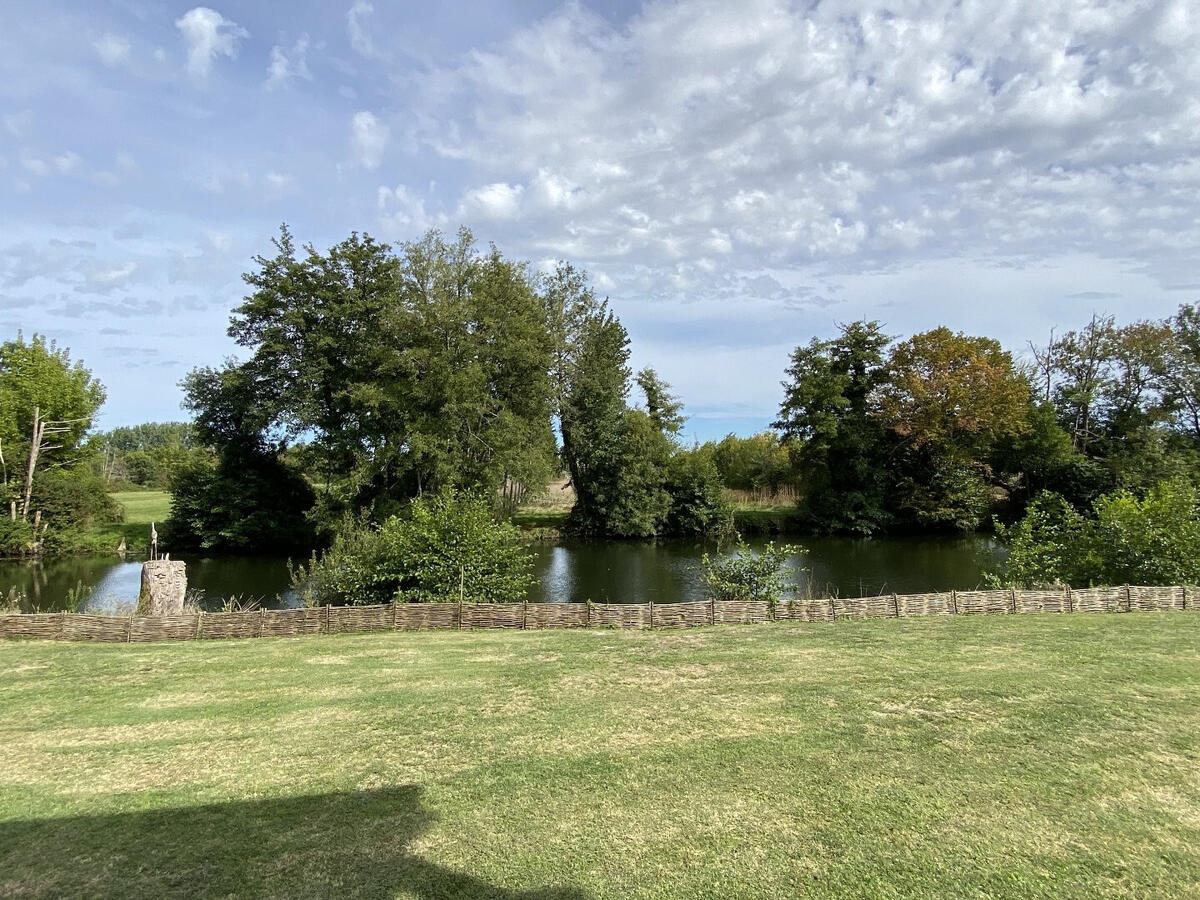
(1054, 757)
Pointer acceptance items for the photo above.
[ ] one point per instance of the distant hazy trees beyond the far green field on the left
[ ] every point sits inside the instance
(145, 455)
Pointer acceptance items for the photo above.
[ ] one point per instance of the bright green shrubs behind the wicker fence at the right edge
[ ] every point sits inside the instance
(1154, 539)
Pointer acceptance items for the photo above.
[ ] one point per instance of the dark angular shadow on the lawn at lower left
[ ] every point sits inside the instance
(329, 845)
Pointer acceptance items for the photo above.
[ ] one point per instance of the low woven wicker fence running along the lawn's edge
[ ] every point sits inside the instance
(411, 617)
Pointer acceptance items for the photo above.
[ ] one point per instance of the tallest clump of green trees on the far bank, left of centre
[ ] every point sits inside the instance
(388, 375)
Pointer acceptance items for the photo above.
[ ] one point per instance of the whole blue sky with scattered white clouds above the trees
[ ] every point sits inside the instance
(736, 178)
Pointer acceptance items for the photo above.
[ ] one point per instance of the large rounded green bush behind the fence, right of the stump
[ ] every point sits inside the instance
(447, 547)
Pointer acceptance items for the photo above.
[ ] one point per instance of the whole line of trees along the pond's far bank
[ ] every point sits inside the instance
(371, 376)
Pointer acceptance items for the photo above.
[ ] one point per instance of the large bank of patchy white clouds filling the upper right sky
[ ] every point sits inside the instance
(825, 139)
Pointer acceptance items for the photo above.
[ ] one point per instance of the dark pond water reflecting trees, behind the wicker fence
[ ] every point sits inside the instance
(622, 572)
